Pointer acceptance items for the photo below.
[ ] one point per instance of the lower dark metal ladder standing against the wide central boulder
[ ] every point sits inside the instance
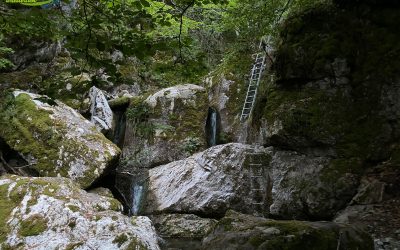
(257, 181)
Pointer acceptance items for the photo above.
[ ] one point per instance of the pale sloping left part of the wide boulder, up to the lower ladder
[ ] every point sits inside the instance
(208, 183)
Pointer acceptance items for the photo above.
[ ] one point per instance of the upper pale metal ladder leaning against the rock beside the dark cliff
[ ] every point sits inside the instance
(255, 77)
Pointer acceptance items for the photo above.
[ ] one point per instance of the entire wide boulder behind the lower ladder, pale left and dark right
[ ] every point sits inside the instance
(284, 184)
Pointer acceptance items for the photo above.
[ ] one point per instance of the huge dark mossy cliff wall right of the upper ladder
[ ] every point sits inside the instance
(337, 83)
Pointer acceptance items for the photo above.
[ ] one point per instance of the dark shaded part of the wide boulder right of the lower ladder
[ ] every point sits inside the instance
(308, 187)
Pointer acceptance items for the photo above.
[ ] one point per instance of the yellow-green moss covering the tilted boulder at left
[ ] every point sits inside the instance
(30, 131)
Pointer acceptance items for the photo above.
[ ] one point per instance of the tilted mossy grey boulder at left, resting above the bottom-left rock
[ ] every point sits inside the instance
(54, 139)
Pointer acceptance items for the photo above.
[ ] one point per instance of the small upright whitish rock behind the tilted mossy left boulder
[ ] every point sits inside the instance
(101, 113)
